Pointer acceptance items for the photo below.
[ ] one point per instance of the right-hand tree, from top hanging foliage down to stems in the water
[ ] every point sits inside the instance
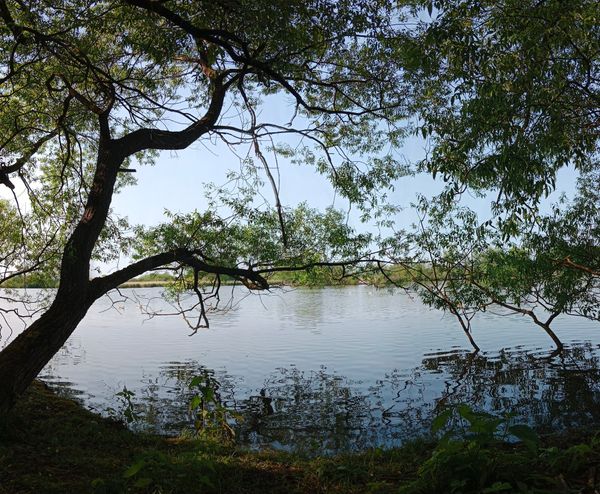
(508, 93)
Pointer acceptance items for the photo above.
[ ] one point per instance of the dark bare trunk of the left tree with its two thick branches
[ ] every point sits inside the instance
(26, 356)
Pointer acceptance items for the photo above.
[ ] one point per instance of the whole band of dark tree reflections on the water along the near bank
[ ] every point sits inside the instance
(321, 411)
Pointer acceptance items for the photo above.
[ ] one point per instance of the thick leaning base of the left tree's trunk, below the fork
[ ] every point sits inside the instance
(23, 359)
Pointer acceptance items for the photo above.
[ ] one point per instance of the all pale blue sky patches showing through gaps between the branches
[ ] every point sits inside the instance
(176, 181)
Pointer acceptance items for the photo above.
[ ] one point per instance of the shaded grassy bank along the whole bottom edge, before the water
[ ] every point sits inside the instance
(51, 445)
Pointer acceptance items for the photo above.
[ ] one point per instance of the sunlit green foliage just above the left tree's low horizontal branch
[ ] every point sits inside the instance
(255, 240)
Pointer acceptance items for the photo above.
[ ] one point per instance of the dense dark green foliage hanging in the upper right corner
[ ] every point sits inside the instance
(508, 91)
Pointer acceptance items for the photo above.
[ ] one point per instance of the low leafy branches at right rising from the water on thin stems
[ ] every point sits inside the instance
(462, 264)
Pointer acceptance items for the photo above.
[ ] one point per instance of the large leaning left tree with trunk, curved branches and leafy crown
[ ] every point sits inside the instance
(89, 87)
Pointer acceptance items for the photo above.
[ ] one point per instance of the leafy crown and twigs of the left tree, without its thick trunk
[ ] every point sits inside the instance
(68, 65)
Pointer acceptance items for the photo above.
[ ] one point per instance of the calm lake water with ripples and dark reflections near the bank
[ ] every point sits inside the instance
(328, 369)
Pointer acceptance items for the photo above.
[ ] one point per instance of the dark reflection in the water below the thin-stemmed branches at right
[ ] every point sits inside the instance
(557, 392)
